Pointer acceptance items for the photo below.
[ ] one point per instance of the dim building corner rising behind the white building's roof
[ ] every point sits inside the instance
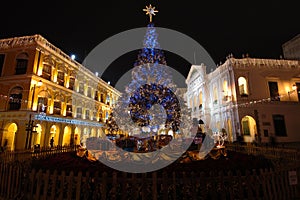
(291, 49)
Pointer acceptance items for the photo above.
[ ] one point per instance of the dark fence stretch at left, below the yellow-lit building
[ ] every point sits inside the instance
(23, 155)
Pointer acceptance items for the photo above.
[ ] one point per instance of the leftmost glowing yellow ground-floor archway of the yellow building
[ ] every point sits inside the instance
(8, 139)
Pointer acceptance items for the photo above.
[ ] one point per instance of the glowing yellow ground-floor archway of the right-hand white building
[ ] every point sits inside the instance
(249, 128)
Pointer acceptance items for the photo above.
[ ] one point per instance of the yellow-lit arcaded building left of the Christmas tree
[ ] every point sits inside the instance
(44, 94)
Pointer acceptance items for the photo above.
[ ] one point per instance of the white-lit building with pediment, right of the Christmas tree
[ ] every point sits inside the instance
(252, 98)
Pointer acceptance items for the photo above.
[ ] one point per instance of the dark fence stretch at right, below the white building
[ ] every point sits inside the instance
(268, 152)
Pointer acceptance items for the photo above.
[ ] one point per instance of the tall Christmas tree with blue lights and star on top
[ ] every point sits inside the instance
(150, 99)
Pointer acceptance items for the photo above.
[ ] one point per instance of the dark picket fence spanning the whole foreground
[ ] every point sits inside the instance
(261, 184)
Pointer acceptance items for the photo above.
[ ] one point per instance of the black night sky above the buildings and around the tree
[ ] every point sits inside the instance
(258, 28)
